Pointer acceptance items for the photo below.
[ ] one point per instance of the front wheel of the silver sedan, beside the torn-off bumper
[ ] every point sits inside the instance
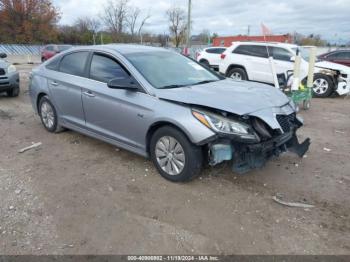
(175, 157)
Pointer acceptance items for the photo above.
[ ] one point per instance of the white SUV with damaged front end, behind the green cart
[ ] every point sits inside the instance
(249, 61)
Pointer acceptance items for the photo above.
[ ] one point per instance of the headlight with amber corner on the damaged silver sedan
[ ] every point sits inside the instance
(223, 125)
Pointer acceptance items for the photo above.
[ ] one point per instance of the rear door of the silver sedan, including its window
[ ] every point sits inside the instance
(65, 84)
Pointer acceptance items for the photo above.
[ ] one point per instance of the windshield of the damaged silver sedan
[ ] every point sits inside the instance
(165, 69)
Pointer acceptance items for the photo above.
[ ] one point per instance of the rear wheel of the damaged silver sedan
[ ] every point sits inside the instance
(48, 115)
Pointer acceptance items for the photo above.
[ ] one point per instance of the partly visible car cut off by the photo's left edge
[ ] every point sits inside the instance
(9, 77)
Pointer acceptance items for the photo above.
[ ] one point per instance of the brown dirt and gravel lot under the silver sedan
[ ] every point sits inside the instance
(77, 195)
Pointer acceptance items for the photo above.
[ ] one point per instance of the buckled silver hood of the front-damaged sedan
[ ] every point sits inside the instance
(237, 97)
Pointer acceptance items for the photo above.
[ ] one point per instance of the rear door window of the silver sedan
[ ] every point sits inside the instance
(74, 63)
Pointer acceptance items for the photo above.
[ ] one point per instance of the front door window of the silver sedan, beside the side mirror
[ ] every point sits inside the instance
(104, 68)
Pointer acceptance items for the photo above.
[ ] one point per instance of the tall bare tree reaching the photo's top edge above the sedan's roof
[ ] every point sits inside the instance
(114, 16)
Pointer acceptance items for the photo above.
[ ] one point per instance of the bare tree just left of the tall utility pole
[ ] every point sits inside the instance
(177, 21)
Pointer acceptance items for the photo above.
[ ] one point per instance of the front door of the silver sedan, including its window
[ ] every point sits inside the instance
(117, 114)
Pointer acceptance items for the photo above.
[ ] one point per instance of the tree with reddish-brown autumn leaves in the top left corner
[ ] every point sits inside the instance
(28, 21)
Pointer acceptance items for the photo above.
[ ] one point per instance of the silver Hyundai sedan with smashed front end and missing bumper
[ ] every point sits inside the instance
(165, 106)
